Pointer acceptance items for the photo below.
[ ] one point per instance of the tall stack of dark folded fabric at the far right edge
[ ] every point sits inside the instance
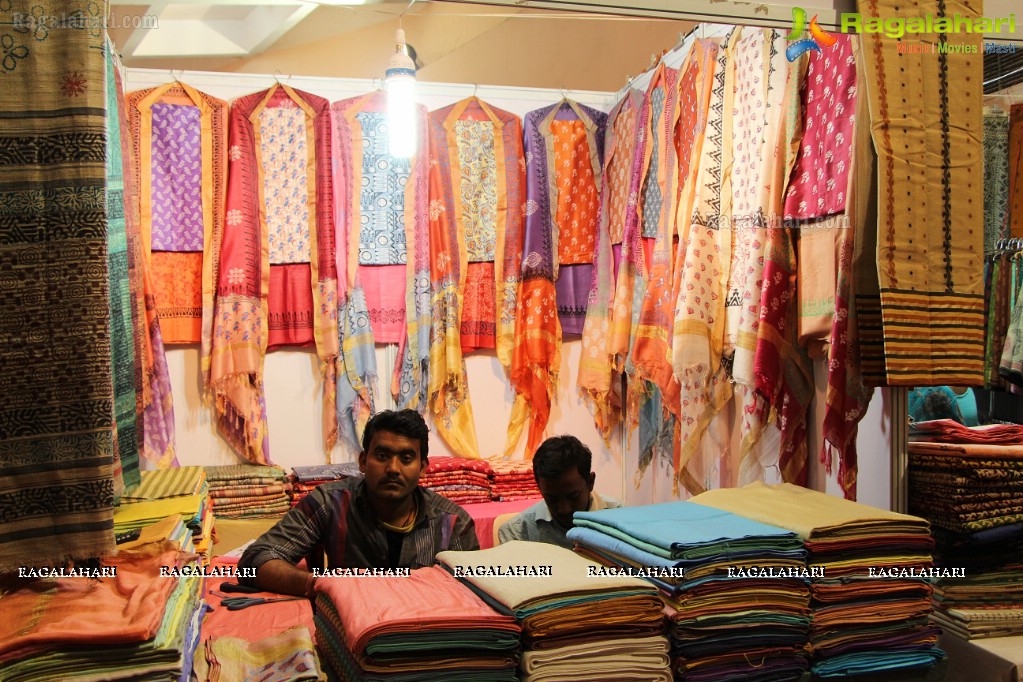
(973, 493)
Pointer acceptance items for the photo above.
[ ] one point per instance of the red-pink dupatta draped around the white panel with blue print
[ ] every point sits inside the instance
(242, 334)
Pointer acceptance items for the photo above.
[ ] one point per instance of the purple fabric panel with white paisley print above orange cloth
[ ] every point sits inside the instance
(177, 179)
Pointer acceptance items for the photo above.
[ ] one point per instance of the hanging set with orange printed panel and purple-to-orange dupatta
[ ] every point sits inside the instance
(563, 148)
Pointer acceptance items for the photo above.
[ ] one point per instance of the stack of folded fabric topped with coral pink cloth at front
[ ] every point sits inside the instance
(424, 628)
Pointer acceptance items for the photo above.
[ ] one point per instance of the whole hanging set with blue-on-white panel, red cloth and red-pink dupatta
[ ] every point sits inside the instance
(278, 284)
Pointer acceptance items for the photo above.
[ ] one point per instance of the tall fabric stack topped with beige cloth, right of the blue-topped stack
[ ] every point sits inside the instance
(871, 609)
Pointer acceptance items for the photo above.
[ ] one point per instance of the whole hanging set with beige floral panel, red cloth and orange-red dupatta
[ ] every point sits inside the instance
(477, 183)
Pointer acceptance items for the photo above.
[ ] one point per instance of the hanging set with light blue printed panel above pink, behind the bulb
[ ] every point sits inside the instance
(383, 246)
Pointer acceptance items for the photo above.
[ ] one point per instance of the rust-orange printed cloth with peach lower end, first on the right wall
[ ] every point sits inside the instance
(598, 372)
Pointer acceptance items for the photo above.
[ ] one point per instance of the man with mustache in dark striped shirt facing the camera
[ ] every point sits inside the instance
(382, 521)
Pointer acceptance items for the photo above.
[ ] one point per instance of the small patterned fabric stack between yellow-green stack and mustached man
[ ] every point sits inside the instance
(248, 491)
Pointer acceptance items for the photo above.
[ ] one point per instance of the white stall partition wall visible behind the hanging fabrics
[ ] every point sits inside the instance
(293, 382)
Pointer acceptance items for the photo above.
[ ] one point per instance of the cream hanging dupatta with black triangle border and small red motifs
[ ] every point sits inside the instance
(702, 270)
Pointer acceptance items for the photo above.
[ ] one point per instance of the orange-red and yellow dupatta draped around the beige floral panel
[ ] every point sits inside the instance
(450, 214)
